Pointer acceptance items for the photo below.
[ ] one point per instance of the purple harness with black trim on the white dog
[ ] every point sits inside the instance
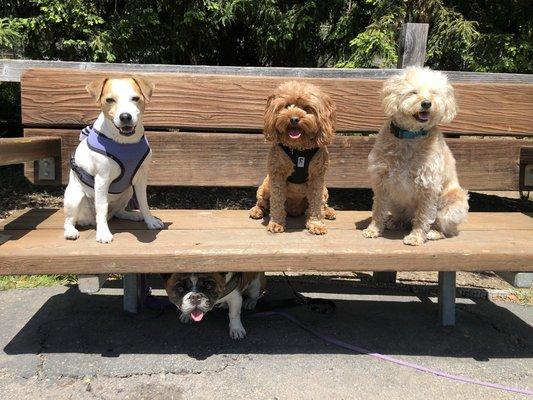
(129, 156)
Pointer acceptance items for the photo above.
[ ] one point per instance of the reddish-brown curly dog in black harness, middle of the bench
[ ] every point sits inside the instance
(299, 120)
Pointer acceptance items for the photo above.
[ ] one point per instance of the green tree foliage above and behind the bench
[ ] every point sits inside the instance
(478, 35)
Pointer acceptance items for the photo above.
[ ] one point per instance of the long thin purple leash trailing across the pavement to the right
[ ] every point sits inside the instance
(357, 349)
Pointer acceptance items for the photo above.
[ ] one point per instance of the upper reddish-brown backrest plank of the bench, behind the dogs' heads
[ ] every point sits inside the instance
(215, 102)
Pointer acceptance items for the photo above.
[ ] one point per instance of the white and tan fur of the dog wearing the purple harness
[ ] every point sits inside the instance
(84, 205)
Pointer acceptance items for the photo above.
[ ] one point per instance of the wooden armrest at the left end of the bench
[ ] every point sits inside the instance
(20, 150)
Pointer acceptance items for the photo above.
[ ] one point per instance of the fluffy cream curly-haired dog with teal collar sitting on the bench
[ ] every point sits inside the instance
(412, 169)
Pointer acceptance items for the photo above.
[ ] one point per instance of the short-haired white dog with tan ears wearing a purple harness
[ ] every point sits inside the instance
(111, 161)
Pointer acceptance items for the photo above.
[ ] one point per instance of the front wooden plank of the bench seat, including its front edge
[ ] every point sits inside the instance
(46, 251)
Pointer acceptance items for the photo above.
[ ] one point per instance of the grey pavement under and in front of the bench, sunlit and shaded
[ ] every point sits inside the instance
(57, 343)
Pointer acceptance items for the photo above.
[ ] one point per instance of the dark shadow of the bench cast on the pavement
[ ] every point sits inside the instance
(76, 323)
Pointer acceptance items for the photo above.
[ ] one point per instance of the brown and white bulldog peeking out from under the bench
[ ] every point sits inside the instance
(197, 293)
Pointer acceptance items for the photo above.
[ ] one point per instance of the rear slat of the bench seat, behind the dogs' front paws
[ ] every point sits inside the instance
(37, 218)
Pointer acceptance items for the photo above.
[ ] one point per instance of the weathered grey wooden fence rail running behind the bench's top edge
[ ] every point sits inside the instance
(12, 71)
